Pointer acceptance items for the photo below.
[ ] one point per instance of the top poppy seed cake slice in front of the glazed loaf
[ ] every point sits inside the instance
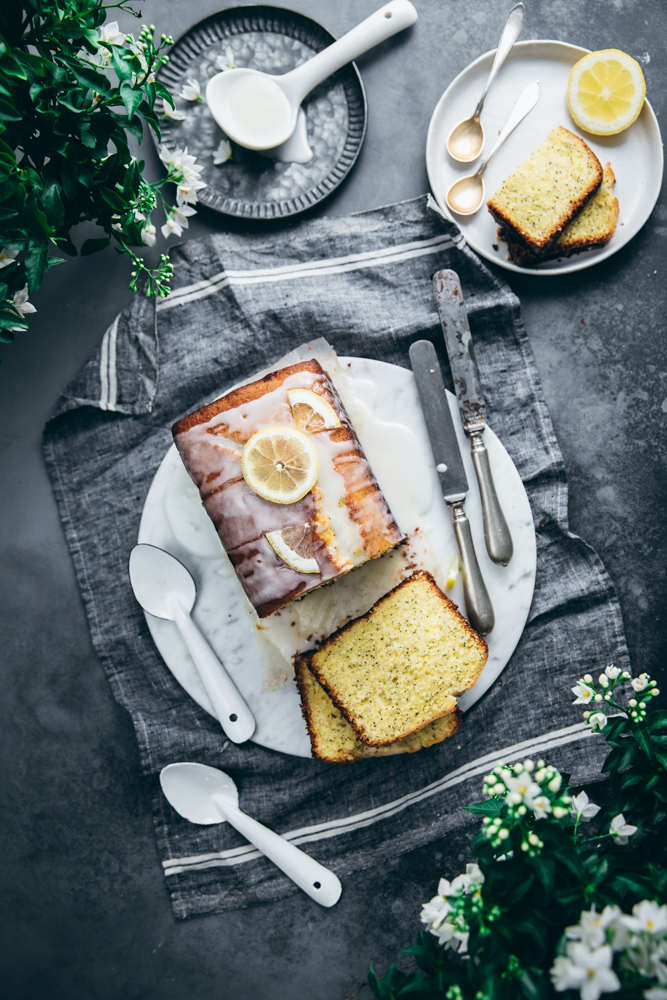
(402, 665)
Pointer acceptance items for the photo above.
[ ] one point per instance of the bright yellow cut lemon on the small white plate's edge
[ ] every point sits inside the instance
(606, 92)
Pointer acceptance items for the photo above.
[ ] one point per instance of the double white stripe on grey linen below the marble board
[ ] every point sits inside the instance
(334, 828)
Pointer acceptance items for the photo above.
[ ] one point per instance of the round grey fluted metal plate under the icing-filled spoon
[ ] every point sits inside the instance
(273, 40)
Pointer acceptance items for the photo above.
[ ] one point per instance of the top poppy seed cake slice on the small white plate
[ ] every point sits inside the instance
(542, 196)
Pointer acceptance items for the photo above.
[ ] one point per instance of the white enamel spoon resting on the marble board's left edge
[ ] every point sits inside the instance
(165, 589)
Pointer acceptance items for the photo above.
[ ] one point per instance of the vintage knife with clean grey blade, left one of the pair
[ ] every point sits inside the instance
(449, 465)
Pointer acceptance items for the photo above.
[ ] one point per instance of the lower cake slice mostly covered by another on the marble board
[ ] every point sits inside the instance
(333, 739)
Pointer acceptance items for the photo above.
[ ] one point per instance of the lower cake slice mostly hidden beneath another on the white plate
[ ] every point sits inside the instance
(593, 227)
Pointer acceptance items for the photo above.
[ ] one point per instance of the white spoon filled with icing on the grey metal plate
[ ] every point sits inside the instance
(259, 111)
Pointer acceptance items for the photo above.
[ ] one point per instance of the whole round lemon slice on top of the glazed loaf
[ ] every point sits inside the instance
(280, 464)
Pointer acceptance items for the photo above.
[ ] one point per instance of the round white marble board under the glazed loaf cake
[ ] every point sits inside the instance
(391, 428)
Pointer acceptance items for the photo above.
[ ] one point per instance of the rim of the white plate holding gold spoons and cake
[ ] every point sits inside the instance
(583, 261)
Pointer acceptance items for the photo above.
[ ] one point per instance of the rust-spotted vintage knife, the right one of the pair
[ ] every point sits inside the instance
(456, 330)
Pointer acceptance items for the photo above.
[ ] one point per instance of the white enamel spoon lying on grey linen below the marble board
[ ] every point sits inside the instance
(206, 795)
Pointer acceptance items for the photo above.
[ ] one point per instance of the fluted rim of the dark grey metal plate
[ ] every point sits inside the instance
(254, 210)
